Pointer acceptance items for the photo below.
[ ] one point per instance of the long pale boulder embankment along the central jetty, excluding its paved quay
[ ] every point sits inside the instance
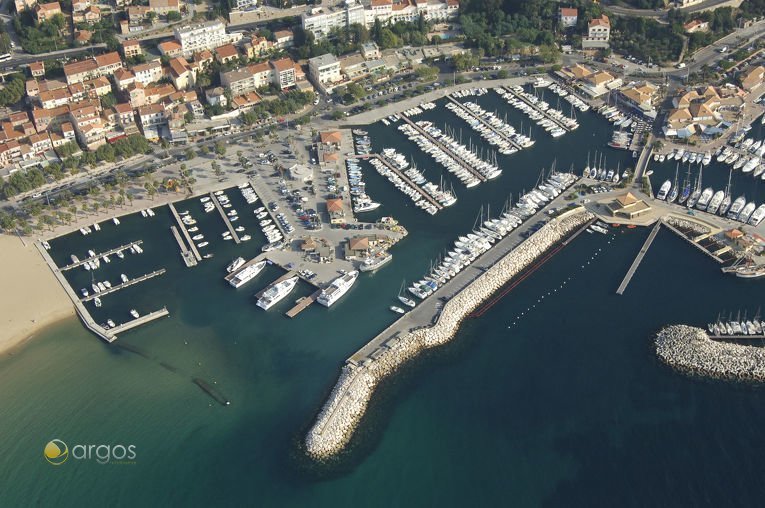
(348, 400)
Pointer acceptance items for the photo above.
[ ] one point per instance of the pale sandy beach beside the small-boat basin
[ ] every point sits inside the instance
(31, 298)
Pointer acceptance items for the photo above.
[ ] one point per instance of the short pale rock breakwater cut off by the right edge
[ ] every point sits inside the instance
(690, 350)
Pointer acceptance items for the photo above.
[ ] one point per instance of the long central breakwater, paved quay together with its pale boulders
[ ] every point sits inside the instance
(431, 323)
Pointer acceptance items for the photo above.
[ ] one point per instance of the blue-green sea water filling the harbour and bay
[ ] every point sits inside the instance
(553, 397)
